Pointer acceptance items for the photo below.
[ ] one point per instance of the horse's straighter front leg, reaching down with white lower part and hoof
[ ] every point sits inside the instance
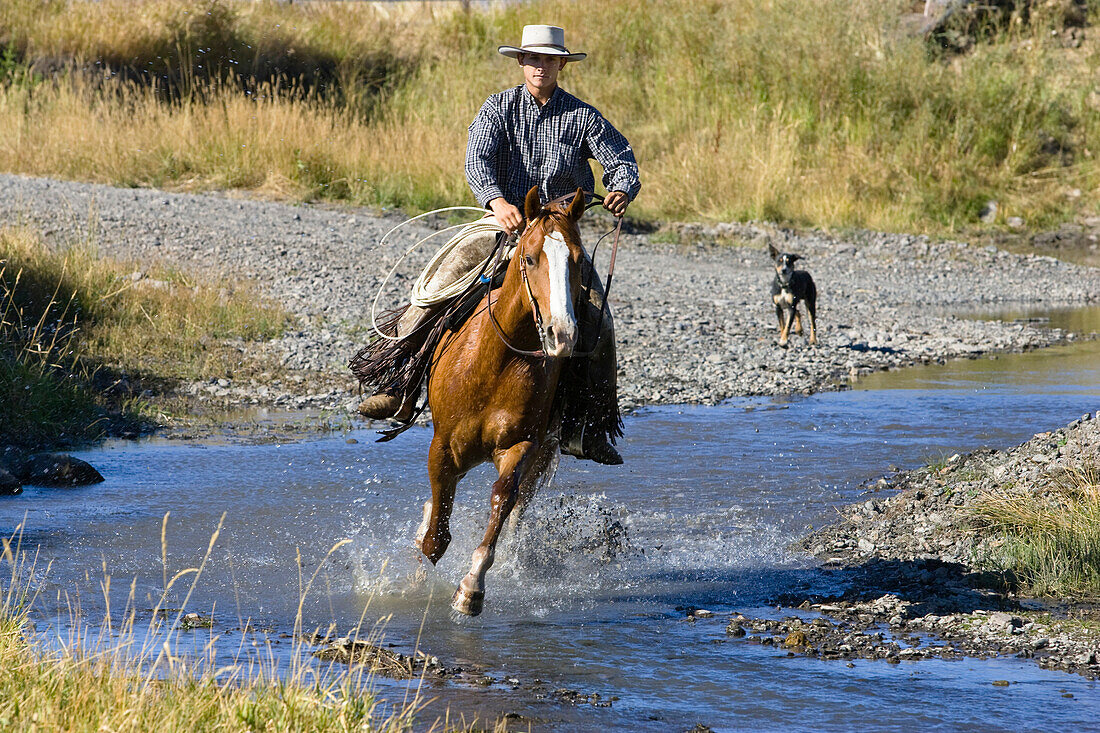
(511, 465)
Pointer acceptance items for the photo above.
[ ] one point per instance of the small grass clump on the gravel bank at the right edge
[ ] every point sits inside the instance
(1051, 542)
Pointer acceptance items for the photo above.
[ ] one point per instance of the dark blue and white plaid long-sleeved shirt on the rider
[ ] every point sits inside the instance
(515, 145)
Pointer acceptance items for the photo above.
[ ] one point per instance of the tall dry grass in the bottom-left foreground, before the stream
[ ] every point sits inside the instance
(123, 676)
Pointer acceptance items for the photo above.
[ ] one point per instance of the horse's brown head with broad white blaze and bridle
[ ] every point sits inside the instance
(551, 254)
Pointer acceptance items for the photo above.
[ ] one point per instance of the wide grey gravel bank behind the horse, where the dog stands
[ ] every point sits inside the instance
(694, 315)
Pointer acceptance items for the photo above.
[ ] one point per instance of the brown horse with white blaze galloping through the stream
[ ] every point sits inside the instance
(492, 386)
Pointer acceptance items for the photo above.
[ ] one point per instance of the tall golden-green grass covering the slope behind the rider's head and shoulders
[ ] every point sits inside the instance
(824, 114)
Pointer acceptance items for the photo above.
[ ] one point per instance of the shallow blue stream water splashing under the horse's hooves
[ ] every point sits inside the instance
(588, 600)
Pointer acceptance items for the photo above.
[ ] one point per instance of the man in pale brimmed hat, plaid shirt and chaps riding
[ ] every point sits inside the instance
(537, 135)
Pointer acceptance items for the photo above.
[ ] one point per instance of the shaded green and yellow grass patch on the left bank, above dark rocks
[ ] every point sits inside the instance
(82, 338)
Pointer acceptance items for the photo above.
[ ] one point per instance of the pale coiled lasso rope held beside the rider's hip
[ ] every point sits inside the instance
(421, 297)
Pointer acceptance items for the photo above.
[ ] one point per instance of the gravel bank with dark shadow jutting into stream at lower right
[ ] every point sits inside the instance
(921, 577)
